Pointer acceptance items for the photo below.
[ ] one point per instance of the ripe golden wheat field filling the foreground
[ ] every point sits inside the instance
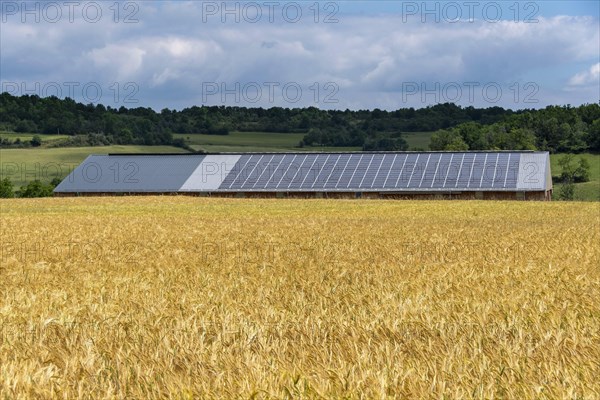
(181, 297)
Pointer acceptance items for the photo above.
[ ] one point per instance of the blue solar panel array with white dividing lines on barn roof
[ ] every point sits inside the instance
(369, 171)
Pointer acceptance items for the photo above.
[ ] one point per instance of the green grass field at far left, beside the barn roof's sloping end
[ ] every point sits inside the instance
(24, 165)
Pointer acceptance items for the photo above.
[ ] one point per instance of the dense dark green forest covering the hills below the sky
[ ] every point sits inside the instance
(555, 128)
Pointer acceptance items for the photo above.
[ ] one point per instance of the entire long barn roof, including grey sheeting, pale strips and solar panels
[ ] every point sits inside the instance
(311, 172)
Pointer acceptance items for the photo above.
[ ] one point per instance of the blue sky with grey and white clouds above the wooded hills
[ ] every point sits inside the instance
(331, 55)
